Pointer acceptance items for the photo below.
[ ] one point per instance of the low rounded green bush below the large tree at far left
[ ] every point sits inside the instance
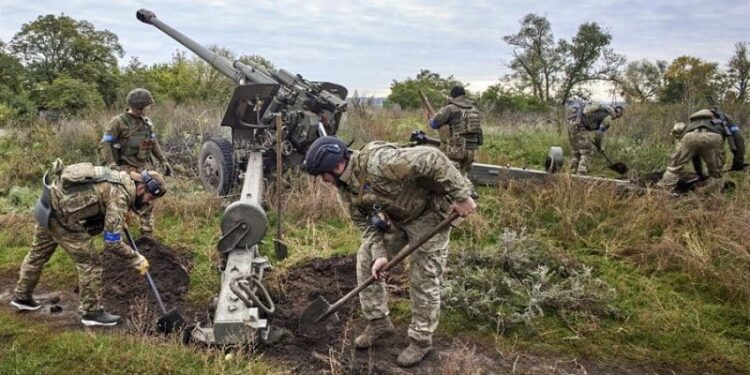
(69, 96)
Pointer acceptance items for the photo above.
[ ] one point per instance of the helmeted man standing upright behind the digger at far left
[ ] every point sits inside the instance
(129, 143)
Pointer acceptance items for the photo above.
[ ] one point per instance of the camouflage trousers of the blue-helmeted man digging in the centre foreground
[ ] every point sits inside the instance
(426, 268)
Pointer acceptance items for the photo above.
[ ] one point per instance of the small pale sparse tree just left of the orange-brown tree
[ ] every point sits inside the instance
(643, 81)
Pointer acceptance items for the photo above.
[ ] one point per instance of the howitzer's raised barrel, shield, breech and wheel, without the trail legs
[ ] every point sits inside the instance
(309, 109)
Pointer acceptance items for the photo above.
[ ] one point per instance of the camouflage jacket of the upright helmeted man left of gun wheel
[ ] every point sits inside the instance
(130, 140)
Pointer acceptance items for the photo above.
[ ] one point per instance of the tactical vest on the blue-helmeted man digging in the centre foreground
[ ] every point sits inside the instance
(402, 204)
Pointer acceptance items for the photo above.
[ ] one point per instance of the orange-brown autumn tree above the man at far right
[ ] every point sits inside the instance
(689, 79)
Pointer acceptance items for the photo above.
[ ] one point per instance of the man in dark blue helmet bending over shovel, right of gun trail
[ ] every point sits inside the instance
(395, 195)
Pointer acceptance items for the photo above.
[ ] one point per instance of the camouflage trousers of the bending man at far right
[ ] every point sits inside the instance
(707, 145)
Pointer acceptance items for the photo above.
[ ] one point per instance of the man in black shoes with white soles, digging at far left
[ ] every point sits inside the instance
(84, 201)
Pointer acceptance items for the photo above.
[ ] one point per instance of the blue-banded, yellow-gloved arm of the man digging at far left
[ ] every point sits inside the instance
(116, 207)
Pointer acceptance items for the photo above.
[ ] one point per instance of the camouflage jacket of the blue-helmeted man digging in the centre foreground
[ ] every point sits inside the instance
(403, 182)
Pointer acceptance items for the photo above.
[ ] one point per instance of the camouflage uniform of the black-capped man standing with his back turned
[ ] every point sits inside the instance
(451, 144)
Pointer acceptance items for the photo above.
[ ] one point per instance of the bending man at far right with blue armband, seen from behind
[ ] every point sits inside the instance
(703, 140)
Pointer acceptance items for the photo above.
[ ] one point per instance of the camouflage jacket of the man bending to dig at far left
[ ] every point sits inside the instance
(96, 206)
